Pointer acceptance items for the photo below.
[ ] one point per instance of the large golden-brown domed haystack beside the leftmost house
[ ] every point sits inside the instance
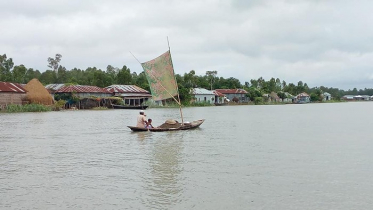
(36, 93)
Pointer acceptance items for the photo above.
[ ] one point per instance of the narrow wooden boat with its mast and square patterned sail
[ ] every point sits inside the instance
(163, 85)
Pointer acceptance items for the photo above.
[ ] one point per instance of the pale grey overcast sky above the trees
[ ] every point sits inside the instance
(319, 42)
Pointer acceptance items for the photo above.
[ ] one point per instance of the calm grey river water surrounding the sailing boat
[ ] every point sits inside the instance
(309, 156)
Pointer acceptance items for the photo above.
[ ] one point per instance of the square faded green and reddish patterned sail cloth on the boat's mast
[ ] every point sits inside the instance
(161, 78)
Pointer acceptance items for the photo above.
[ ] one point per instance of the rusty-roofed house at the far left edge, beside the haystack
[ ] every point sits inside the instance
(11, 93)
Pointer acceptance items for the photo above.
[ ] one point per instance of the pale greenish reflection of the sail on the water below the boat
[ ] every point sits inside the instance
(163, 184)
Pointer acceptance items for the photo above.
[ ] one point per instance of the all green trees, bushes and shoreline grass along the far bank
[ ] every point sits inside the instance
(57, 74)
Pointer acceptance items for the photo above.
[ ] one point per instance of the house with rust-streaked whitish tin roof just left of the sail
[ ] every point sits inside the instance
(132, 95)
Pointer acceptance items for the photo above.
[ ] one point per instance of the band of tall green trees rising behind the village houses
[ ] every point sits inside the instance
(123, 76)
